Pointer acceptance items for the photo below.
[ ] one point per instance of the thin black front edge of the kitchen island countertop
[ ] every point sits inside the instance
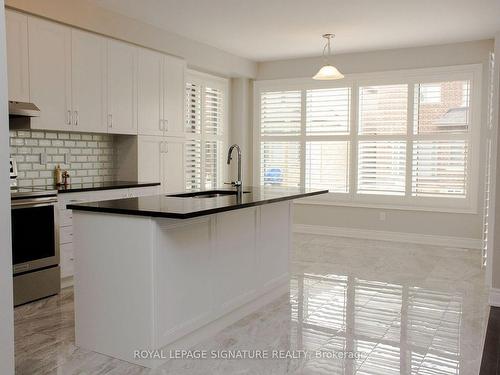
(189, 215)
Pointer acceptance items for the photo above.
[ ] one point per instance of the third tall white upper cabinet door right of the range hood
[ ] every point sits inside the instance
(122, 111)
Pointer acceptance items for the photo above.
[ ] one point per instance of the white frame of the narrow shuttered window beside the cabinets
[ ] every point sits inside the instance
(204, 80)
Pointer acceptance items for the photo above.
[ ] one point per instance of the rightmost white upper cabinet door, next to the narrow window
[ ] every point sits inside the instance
(173, 97)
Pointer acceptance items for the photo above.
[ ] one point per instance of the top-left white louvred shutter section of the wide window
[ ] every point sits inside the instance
(280, 113)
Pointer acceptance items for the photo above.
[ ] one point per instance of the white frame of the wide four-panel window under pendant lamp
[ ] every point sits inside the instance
(472, 72)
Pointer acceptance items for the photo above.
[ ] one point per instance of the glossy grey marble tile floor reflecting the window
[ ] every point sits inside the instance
(390, 308)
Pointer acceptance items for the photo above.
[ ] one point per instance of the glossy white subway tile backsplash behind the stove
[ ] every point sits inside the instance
(87, 157)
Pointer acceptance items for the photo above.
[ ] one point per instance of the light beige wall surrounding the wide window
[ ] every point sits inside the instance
(414, 222)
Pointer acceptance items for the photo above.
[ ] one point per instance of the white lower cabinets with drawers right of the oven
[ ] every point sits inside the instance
(66, 250)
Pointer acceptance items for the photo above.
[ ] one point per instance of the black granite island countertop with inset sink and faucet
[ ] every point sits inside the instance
(176, 207)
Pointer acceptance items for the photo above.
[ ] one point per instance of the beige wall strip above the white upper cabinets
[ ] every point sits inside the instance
(80, 13)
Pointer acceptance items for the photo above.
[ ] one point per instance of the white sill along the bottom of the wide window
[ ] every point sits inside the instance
(385, 206)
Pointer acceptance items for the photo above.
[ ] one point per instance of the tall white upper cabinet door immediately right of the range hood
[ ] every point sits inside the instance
(50, 73)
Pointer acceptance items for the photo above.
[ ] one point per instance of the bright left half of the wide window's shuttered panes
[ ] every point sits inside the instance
(324, 143)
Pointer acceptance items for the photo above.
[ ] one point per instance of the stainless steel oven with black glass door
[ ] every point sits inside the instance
(35, 245)
